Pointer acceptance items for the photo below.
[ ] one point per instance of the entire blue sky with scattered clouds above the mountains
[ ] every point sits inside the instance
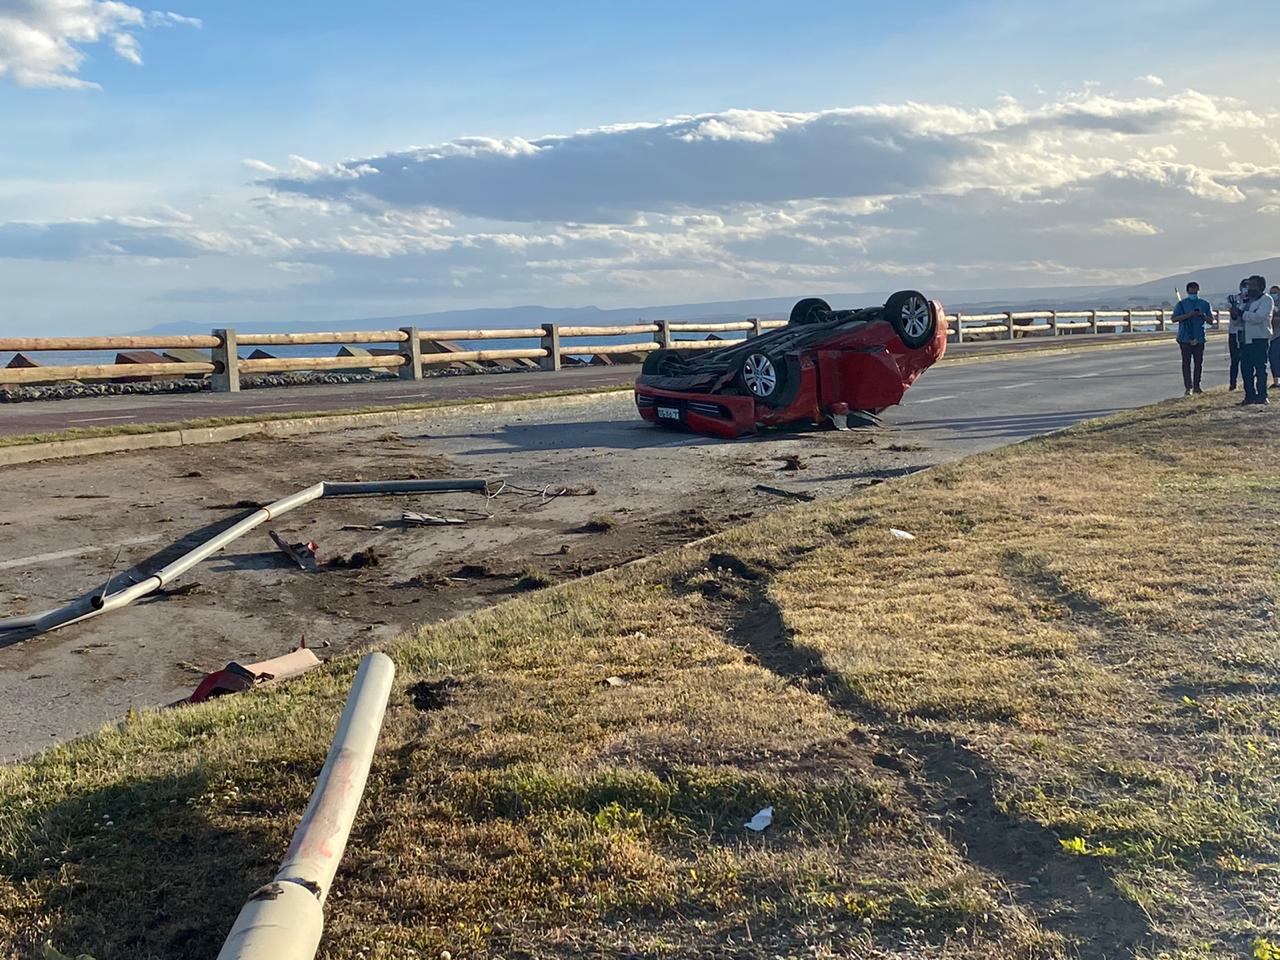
(235, 162)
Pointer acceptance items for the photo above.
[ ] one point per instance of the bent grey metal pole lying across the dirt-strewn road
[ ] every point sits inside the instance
(102, 602)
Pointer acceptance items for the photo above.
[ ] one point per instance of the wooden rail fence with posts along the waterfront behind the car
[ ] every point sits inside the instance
(410, 353)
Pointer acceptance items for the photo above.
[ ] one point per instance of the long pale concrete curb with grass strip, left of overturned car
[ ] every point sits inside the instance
(122, 444)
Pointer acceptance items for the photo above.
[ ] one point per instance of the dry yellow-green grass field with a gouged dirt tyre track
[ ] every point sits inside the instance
(1049, 726)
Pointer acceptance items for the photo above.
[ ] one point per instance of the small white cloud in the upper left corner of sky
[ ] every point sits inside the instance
(42, 40)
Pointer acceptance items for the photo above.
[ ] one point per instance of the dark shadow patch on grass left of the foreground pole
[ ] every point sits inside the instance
(132, 872)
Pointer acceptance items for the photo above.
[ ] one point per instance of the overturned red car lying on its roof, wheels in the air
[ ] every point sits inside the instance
(822, 367)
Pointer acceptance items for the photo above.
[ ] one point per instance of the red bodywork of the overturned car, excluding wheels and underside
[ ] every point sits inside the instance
(862, 365)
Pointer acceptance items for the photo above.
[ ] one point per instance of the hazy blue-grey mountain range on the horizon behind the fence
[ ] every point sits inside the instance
(1215, 282)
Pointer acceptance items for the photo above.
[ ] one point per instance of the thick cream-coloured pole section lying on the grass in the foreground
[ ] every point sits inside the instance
(285, 920)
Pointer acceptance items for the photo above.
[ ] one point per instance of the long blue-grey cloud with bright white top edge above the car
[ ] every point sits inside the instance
(610, 175)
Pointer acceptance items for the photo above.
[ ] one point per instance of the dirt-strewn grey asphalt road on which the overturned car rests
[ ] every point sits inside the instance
(63, 522)
